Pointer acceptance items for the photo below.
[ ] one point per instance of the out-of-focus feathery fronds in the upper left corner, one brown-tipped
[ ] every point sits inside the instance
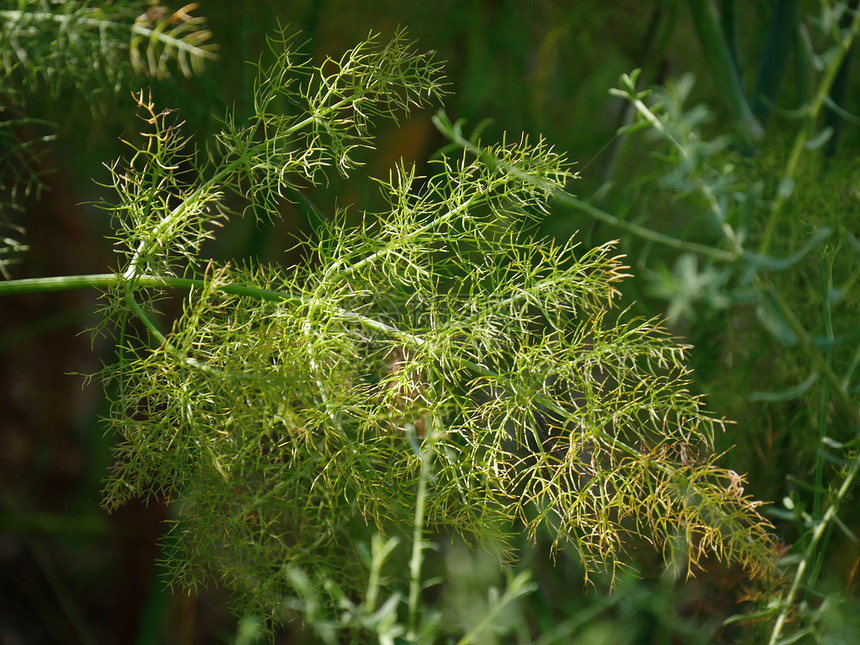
(94, 47)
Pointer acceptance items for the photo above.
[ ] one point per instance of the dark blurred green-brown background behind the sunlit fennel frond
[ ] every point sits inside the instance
(70, 574)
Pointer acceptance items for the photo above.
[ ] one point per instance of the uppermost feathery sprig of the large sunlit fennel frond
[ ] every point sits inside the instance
(309, 119)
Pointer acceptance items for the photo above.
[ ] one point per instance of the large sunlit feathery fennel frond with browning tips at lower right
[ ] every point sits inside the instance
(288, 411)
